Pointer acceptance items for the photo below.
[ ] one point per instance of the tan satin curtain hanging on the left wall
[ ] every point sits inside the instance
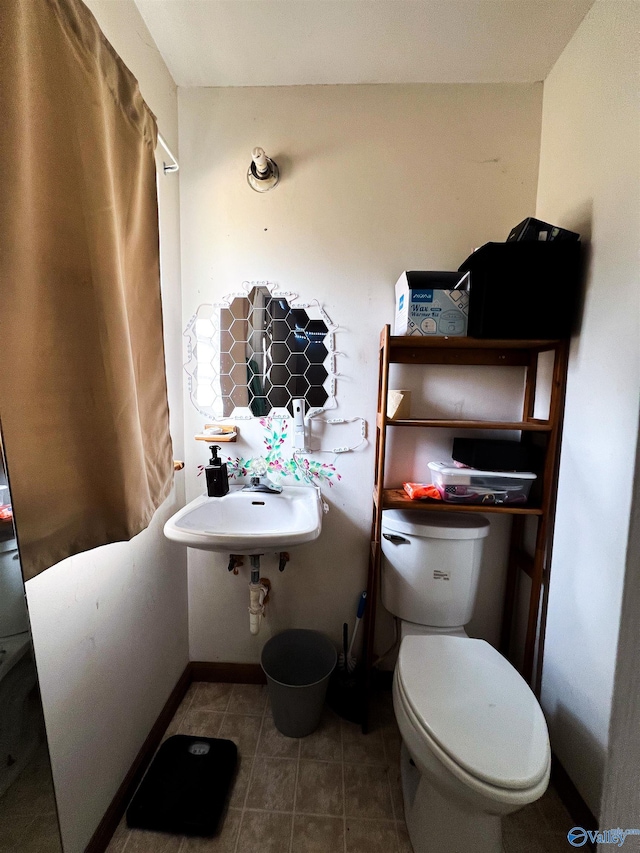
(83, 399)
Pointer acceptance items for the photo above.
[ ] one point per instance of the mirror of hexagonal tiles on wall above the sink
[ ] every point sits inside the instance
(255, 353)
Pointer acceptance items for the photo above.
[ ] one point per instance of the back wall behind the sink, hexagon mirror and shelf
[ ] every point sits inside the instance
(375, 180)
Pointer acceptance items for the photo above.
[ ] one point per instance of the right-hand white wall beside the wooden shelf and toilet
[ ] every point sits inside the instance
(589, 182)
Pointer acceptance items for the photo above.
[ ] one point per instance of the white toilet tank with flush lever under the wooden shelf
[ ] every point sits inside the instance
(430, 565)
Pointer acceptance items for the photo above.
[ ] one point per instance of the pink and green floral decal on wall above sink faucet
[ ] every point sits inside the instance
(274, 463)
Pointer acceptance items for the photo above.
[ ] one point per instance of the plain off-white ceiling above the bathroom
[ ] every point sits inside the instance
(299, 42)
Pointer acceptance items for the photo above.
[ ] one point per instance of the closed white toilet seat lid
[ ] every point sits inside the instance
(475, 712)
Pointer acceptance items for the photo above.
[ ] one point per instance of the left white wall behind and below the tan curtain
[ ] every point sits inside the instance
(110, 626)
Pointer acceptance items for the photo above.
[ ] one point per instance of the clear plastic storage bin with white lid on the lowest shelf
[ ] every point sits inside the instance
(471, 486)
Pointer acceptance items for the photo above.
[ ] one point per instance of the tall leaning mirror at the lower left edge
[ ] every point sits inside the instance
(28, 817)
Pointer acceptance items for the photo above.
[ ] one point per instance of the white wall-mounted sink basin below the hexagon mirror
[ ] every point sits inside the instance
(244, 522)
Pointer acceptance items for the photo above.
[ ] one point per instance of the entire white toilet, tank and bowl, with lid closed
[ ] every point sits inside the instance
(475, 742)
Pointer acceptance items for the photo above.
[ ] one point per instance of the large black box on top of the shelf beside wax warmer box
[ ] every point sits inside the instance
(524, 290)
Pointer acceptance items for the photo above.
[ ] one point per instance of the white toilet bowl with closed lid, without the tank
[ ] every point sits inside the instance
(475, 743)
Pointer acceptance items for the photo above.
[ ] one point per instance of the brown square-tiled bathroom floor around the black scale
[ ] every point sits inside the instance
(335, 791)
